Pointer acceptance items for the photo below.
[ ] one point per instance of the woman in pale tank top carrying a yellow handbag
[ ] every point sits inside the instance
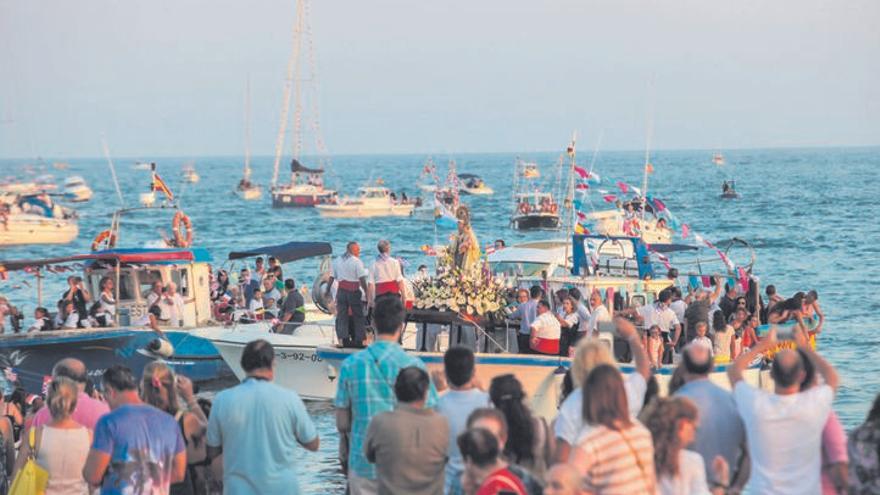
(62, 445)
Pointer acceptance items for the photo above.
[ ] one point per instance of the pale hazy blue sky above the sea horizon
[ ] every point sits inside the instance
(168, 77)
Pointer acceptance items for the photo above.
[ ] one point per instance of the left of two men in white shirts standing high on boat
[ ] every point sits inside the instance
(351, 278)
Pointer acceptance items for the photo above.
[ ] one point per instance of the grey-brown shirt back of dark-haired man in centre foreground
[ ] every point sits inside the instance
(409, 447)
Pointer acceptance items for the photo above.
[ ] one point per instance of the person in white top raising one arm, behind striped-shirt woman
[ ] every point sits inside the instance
(569, 424)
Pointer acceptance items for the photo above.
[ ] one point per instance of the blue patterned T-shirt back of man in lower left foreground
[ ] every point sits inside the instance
(139, 439)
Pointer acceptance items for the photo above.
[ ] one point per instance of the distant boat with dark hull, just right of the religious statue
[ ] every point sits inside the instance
(533, 208)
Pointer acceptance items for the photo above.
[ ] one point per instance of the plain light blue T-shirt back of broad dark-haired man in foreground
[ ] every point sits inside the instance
(259, 425)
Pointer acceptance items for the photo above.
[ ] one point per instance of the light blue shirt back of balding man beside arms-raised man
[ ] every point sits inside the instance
(720, 430)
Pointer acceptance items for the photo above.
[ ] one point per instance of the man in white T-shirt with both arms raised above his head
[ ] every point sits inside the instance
(784, 428)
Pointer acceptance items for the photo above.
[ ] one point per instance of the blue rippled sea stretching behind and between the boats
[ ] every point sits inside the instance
(811, 216)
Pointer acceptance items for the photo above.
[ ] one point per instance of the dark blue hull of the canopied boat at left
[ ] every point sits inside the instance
(32, 356)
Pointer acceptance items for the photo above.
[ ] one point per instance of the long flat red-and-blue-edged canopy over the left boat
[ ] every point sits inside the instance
(121, 256)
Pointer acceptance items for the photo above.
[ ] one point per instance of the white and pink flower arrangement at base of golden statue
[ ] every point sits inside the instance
(473, 291)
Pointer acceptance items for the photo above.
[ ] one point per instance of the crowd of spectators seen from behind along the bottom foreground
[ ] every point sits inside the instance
(405, 430)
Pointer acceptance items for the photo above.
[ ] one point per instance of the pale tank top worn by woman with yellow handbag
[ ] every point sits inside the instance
(63, 452)
